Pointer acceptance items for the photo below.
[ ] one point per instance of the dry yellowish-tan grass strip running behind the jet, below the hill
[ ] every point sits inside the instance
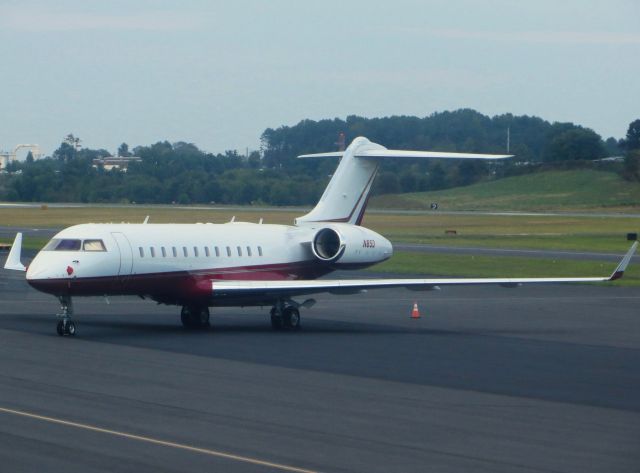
(582, 233)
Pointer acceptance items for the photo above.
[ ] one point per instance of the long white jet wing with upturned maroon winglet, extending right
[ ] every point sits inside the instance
(351, 286)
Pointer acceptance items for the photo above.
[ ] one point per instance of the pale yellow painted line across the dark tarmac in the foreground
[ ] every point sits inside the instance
(164, 443)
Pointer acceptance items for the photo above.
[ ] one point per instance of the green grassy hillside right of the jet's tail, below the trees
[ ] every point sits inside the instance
(551, 190)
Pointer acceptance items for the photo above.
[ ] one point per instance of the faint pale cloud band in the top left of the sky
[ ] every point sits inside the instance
(38, 20)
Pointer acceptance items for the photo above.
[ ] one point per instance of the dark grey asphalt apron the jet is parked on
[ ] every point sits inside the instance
(541, 379)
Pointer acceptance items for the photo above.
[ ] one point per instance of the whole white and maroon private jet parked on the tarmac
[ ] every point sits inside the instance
(203, 265)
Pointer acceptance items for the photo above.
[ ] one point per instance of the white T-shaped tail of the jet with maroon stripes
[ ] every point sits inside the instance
(345, 198)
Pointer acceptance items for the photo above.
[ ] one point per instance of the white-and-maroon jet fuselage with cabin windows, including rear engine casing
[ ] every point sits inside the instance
(175, 263)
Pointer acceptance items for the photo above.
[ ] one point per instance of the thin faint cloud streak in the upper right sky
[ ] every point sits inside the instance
(540, 37)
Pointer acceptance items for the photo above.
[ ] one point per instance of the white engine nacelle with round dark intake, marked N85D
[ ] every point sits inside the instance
(350, 245)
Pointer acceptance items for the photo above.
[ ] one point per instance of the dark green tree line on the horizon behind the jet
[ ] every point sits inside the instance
(182, 173)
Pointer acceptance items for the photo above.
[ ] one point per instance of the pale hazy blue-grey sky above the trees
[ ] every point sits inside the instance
(218, 73)
